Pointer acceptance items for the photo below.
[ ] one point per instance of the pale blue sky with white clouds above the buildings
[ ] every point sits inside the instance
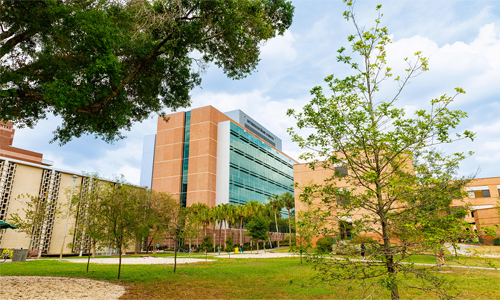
(461, 38)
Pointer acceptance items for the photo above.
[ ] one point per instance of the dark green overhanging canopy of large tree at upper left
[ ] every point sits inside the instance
(102, 65)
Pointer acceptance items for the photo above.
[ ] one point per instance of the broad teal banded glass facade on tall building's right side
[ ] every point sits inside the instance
(257, 171)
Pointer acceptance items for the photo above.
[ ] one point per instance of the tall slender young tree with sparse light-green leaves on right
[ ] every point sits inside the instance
(390, 162)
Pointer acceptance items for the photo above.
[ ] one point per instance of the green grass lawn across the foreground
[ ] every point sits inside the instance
(280, 278)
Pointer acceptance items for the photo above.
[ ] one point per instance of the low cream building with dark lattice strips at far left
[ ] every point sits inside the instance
(18, 178)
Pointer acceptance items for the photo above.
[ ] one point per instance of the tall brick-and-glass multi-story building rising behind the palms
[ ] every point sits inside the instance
(207, 156)
